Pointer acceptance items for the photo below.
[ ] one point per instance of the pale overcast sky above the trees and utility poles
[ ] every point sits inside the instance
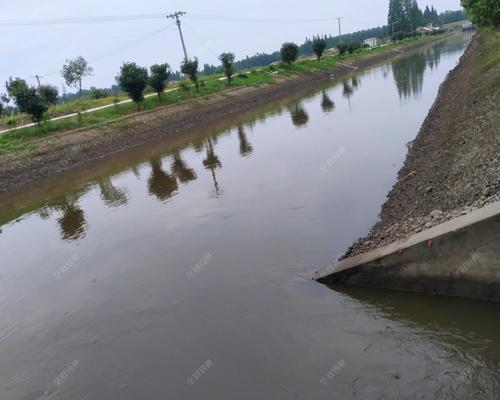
(34, 49)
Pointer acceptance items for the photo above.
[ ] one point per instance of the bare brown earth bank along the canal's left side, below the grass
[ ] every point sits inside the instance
(62, 151)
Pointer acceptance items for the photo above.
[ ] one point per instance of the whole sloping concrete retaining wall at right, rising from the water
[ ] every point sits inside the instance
(457, 258)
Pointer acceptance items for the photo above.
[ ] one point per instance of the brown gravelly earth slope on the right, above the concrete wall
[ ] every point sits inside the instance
(453, 166)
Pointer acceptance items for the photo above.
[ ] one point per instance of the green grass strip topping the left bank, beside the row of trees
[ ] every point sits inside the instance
(23, 138)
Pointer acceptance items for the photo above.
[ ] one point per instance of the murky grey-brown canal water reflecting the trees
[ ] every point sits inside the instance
(175, 270)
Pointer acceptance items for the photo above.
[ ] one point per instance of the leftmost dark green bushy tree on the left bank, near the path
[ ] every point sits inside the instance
(27, 99)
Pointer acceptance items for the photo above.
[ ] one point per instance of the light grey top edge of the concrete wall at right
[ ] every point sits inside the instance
(437, 231)
